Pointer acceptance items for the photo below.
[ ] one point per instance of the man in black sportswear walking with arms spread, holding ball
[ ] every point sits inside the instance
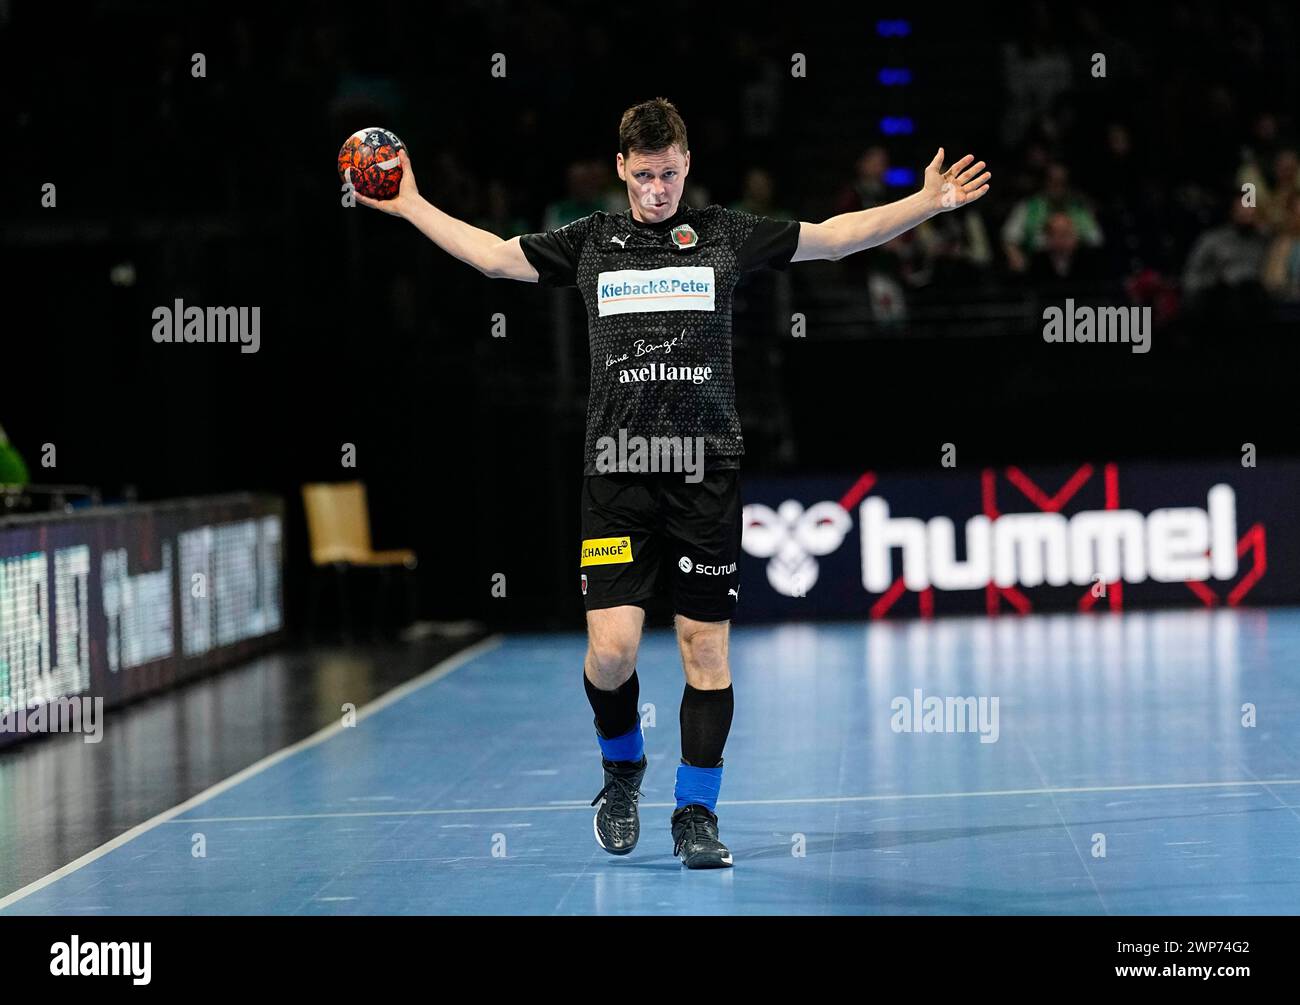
(658, 281)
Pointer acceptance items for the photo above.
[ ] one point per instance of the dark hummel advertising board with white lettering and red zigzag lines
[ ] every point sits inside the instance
(1091, 538)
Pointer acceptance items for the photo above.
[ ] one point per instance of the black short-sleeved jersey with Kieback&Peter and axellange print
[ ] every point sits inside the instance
(660, 318)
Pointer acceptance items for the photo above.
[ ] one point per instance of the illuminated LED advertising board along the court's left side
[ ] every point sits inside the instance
(115, 603)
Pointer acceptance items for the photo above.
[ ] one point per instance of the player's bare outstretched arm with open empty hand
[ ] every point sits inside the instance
(943, 190)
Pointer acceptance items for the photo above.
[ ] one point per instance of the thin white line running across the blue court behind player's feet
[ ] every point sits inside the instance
(751, 803)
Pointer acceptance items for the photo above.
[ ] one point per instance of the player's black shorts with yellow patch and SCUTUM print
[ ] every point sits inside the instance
(645, 532)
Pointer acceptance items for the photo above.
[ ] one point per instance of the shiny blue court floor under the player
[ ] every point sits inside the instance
(1120, 772)
